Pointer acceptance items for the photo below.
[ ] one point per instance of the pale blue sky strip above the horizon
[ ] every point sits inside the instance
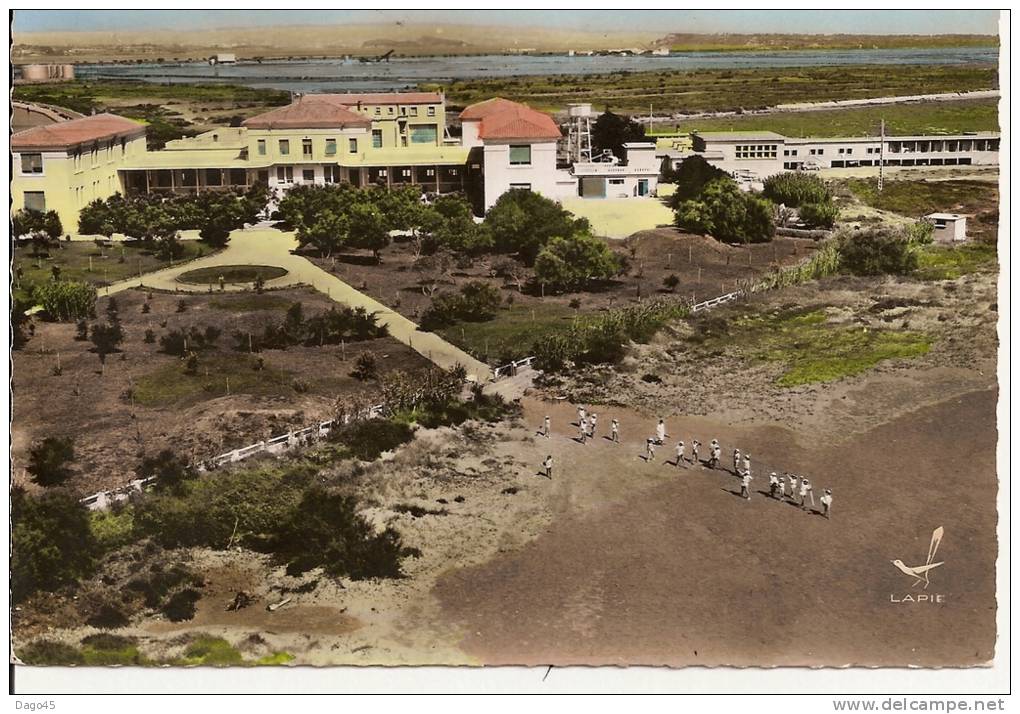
(802, 22)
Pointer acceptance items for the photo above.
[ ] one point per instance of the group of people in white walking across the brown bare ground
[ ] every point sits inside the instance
(788, 486)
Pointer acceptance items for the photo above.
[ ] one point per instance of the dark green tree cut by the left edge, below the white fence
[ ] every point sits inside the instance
(53, 545)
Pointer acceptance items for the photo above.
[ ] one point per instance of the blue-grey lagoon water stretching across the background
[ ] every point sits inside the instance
(403, 73)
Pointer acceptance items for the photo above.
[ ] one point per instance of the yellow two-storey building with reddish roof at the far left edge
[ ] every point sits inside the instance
(66, 166)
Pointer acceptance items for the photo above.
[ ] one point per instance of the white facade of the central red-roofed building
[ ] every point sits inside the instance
(506, 169)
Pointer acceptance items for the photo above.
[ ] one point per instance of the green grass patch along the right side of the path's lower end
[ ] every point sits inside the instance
(512, 334)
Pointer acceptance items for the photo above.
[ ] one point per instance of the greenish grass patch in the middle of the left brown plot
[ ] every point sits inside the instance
(219, 374)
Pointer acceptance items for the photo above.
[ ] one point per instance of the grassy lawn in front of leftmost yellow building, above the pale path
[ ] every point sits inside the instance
(78, 261)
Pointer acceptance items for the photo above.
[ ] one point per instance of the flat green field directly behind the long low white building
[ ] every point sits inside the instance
(902, 120)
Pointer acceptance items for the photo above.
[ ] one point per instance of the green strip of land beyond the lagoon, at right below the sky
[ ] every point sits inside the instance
(689, 42)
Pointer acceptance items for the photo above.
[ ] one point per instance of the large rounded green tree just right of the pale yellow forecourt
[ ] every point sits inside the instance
(726, 213)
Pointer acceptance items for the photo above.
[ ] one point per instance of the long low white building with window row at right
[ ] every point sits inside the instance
(758, 156)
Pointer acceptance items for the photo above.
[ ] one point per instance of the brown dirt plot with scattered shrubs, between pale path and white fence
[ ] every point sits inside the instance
(195, 416)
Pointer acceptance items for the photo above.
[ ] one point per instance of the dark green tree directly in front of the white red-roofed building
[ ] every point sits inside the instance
(524, 222)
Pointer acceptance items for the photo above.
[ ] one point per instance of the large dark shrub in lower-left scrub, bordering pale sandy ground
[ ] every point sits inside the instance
(326, 531)
